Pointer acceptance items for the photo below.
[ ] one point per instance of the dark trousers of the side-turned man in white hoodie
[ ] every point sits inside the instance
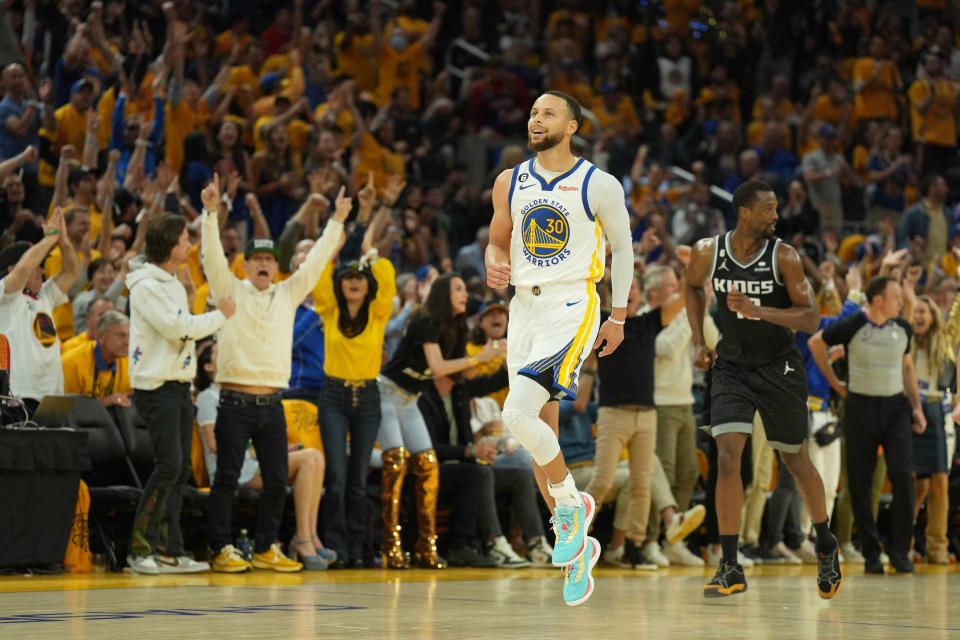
(168, 414)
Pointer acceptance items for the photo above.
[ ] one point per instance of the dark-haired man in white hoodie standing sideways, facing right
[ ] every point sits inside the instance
(162, 365)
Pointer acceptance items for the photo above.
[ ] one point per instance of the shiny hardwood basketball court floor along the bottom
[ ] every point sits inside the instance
(462, 604)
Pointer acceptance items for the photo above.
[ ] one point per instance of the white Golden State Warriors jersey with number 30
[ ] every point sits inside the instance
(556, 238)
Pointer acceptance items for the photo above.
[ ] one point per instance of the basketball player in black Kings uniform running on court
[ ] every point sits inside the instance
(762, 297)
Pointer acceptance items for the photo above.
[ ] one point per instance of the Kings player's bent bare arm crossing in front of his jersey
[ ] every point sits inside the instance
(804, 315)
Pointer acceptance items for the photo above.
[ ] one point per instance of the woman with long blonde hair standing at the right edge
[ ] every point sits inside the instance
(934, 356)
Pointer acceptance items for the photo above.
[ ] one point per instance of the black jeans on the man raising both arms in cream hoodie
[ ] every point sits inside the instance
(240, 420)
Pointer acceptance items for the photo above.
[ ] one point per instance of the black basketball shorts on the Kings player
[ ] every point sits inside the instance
(777, 390)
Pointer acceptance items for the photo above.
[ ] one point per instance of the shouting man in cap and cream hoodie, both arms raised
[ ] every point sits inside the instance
(253, 366)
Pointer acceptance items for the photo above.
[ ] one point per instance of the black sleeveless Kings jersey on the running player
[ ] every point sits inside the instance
(749, 342)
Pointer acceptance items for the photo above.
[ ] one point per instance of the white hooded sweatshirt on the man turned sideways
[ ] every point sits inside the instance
(162, 328)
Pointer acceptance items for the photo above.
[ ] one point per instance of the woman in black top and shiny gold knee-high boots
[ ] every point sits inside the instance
(434, 344)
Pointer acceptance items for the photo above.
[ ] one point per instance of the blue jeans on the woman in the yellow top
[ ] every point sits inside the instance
(343, 410)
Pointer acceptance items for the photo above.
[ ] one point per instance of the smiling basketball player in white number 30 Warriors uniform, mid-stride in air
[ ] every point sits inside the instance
(550, 215)
